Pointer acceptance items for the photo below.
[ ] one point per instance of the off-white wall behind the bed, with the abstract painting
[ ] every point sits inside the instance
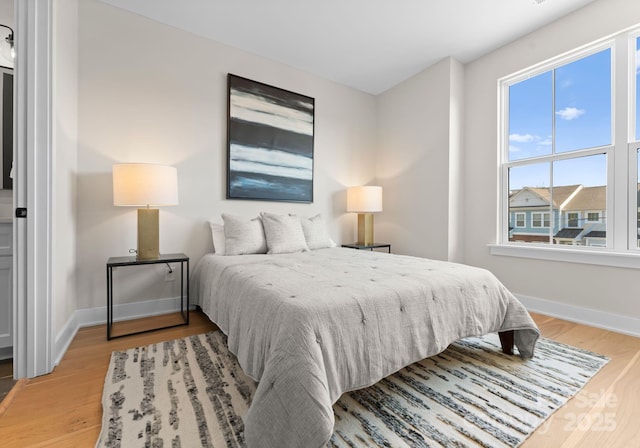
(152, 93)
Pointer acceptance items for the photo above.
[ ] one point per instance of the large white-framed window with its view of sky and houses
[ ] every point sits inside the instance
(558, 148)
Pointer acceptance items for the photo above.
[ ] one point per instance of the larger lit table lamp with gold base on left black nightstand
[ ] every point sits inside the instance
(145, 185)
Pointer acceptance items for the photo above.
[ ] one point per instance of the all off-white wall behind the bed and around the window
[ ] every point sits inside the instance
(152, 93)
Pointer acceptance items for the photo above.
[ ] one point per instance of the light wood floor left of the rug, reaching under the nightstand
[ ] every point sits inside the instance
(64, 408)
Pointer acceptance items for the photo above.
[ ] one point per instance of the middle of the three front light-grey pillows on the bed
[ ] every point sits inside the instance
(284, 233)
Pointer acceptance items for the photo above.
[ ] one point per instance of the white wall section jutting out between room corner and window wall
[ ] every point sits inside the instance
(419, 165)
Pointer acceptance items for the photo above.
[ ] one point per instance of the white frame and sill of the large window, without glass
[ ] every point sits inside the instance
(622, 248)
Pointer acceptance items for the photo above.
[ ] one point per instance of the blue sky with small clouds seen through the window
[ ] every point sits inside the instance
(582, 118)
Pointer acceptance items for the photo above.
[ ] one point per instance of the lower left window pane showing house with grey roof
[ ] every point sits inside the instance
(529, 195)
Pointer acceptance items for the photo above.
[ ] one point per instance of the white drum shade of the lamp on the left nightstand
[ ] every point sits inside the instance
(145, 184)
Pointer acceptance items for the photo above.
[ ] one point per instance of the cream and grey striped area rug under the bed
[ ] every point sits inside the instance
(191, 392)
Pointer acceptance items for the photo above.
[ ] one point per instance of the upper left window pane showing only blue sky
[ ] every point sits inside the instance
(530, 117)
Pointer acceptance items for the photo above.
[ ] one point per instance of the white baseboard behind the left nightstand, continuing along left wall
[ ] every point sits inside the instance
(87, 317)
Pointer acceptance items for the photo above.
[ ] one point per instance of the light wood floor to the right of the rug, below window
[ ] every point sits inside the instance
(601, 414)
